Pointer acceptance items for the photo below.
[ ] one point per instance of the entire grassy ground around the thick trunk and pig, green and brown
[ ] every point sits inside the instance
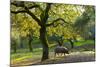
(79, 53)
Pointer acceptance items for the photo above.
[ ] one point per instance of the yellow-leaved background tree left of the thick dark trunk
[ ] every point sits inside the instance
(24, 29)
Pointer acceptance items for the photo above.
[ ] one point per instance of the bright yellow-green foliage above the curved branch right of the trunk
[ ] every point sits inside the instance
(67, 12)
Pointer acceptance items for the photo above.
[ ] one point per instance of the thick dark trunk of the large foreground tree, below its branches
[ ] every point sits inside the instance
(44, 41)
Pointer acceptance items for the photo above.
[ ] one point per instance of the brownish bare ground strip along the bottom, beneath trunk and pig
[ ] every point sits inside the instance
(73, 57)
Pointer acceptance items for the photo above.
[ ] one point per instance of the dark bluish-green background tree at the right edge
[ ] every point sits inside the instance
(85, 24)
